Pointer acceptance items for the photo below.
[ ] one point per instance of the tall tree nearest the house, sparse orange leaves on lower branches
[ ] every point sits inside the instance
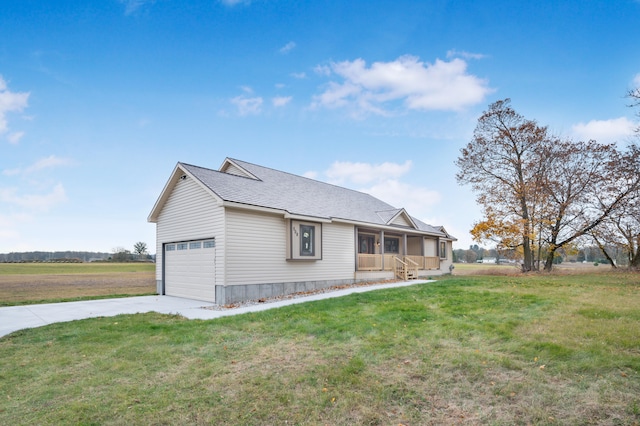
(503, 164)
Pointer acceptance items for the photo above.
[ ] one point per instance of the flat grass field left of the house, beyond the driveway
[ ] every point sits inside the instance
(28, 283)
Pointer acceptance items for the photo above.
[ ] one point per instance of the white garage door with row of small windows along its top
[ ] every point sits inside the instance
(190, 269)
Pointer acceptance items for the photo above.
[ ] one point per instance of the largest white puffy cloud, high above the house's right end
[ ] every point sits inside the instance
(439, 86)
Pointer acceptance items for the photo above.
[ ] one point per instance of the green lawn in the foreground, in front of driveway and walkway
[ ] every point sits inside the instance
(545, 349)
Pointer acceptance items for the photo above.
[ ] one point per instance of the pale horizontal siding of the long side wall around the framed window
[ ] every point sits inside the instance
(256, 251)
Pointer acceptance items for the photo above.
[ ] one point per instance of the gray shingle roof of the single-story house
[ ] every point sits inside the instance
(298, 195)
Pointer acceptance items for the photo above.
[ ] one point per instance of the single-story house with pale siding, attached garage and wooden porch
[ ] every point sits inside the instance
(246, 232)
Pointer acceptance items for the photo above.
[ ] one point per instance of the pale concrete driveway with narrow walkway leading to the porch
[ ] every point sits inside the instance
(16, 318)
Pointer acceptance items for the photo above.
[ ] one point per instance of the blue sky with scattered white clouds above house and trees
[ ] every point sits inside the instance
(100, 99)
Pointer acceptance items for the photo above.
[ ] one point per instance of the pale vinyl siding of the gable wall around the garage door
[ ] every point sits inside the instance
(190, 213)
